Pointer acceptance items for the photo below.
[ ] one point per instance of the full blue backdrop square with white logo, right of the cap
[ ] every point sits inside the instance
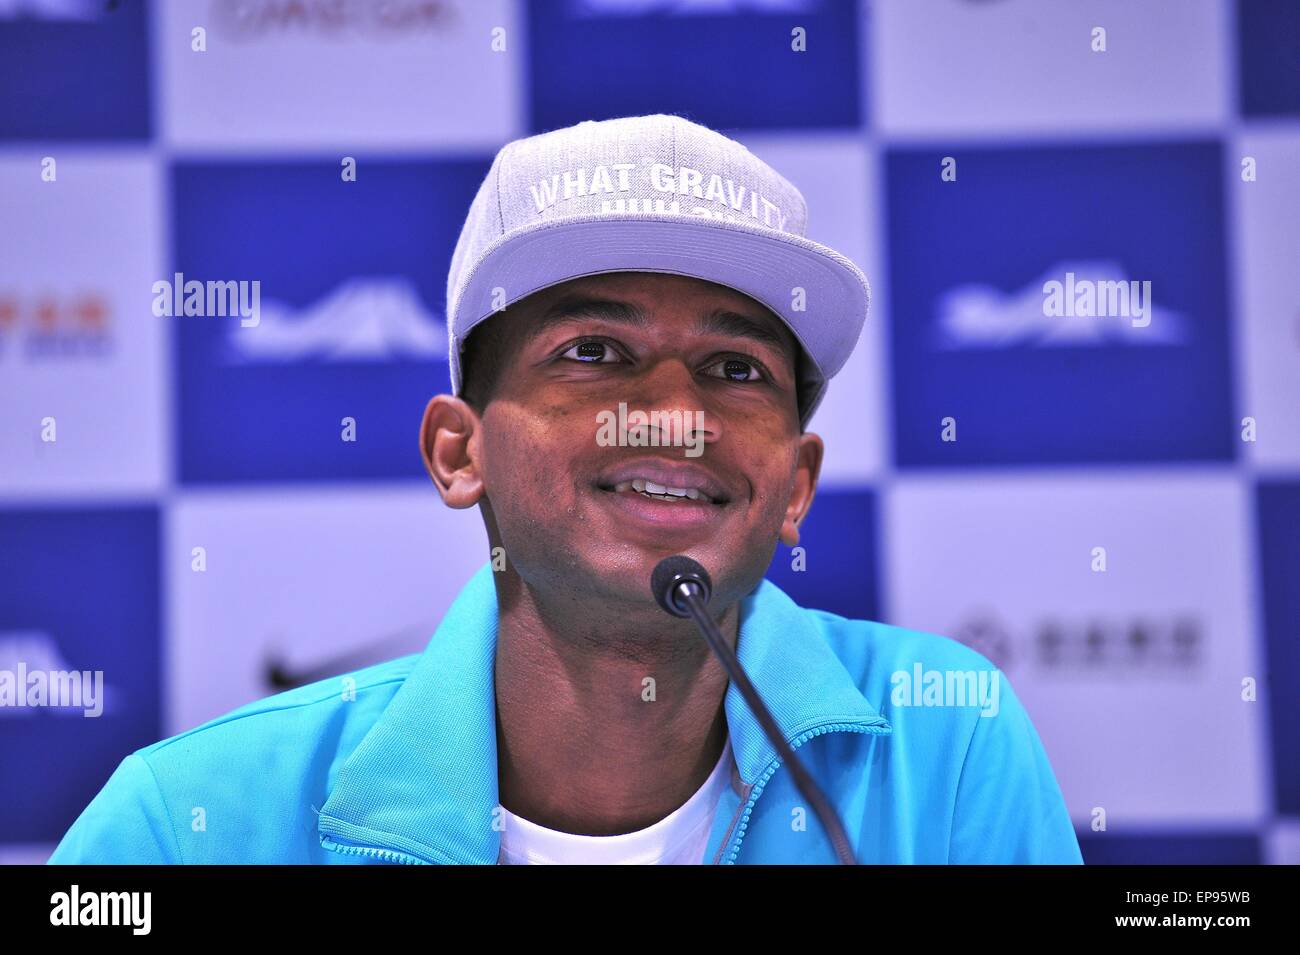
(1059, 305)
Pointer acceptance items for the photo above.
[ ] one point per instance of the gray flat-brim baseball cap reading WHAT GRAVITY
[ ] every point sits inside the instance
(653, 194)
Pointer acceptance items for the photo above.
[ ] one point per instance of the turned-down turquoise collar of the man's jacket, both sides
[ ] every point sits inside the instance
(419, 780)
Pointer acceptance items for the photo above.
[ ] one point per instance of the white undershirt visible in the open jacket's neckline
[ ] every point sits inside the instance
(679, 839)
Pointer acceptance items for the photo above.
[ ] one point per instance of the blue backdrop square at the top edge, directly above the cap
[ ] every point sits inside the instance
(723, 66)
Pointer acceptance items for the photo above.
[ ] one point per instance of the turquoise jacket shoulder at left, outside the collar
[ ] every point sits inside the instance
(257, 770)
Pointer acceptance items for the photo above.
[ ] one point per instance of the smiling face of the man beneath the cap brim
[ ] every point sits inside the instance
(556, 463)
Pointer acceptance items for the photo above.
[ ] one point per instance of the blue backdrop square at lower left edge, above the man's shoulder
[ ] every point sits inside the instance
(80, 659)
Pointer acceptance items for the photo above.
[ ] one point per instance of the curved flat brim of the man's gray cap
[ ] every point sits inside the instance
(764, 264)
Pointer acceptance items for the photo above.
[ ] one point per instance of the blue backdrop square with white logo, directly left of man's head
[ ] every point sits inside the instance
(350, 322)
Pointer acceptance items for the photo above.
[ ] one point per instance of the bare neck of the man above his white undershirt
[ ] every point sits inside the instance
(609, 715)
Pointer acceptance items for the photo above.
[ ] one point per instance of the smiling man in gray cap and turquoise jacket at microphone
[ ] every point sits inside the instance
(651, 335)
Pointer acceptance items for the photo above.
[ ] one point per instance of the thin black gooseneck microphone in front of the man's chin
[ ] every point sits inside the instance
(683, 588)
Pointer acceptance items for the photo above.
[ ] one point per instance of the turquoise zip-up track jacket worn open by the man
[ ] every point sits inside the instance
(397, 763)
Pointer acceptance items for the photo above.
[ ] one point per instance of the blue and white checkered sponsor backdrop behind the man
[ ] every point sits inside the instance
(965, 153)
